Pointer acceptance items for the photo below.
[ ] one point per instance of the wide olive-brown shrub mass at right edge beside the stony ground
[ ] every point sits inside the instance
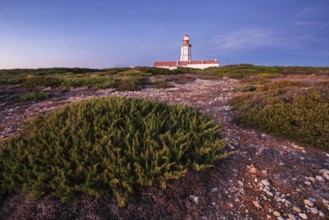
(295, 110)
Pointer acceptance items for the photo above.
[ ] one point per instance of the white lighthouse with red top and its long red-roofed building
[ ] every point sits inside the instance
(186, 59)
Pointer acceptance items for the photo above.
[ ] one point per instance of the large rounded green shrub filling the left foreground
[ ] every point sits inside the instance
(107, 145)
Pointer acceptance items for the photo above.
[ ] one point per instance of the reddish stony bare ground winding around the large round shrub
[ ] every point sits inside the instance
(266, 177)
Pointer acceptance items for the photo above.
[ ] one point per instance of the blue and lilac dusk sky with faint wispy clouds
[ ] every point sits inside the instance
(106, 33)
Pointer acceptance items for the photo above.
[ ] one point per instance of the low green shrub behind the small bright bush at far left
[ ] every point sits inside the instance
(41, 81)
